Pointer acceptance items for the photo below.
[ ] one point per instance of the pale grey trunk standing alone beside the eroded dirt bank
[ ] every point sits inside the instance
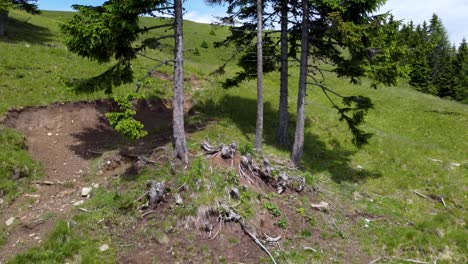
(180, 144)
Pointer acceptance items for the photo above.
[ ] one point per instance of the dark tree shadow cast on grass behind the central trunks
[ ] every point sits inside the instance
(317, 157)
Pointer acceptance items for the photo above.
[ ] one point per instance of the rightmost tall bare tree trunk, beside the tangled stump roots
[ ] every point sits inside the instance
(299, 136)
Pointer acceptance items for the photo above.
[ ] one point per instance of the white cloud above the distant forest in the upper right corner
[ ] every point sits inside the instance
(454, 14)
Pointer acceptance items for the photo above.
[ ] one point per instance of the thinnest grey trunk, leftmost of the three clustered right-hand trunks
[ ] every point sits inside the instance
(259, 127)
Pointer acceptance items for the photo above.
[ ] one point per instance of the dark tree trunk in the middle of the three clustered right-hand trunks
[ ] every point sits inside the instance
(283, 137)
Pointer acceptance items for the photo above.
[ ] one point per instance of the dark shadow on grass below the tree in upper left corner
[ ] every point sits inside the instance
(19, 30)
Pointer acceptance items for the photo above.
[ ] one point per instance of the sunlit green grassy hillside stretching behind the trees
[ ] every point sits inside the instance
(420, 142)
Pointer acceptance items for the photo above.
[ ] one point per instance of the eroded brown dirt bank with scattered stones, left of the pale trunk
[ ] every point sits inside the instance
(65, 137)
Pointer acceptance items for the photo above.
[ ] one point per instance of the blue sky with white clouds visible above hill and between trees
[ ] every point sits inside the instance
(454, 13)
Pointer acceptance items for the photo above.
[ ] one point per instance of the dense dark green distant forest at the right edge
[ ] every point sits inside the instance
(435, 65)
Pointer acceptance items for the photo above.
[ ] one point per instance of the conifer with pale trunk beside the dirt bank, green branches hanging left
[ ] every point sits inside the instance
(111, 30)
